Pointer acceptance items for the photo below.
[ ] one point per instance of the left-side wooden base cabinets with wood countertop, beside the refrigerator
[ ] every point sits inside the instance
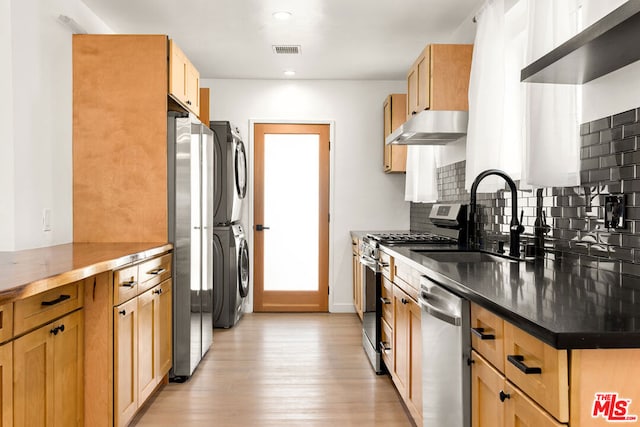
(85, 332)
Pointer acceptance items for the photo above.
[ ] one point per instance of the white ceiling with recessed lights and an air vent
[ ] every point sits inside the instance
(339, 39)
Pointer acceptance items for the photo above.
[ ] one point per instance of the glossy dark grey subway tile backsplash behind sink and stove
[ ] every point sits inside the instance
(610, 164)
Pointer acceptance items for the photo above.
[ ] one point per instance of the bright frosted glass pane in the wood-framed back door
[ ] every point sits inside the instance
(291, 169)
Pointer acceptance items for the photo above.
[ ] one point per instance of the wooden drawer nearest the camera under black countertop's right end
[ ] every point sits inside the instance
(546, 379)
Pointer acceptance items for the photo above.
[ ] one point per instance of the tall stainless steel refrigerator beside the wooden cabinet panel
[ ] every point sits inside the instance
(190, 148)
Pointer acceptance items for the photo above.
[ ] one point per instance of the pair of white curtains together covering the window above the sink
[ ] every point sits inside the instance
(529, 130)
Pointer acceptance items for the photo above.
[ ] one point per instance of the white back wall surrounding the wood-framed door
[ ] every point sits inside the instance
(362, 196)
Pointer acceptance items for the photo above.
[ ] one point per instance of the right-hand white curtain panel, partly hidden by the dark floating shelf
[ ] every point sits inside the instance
(552, 145)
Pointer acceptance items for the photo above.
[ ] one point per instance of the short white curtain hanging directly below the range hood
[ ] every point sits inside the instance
(421, 180)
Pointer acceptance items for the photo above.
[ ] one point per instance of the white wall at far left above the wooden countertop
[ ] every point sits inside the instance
(36, 151)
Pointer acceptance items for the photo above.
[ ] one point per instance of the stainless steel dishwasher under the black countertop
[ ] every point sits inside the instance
(446, 347)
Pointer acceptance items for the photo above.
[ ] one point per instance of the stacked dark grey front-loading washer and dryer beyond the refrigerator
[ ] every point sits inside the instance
(230, 250)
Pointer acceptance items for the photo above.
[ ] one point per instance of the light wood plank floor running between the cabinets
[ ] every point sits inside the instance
(282, 370)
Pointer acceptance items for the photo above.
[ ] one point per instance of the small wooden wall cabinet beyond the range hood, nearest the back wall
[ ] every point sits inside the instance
(395, 156)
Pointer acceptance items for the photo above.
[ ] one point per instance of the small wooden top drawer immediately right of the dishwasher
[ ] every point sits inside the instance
(487, 335)
